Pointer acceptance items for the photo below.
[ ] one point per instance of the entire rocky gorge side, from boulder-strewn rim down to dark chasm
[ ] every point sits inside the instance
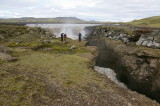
(133, 53)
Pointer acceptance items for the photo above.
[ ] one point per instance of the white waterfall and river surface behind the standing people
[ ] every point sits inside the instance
(71, 30)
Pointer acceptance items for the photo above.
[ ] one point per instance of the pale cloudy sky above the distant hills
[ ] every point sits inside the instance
(97, 10)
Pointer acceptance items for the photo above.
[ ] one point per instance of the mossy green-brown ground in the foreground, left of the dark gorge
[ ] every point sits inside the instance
(37, 69)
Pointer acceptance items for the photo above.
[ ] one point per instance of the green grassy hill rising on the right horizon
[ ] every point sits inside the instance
(147, 22)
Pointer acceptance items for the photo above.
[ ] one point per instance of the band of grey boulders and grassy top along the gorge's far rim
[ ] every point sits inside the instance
(139, 36)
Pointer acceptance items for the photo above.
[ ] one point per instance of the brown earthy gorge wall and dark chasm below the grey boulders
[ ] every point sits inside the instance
(137, 66)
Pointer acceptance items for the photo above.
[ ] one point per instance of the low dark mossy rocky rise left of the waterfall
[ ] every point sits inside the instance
(9, 31)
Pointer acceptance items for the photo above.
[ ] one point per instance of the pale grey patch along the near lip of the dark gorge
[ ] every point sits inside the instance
(110, 74)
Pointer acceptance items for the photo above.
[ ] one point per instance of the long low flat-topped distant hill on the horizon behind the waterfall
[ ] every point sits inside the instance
(44, 20)
